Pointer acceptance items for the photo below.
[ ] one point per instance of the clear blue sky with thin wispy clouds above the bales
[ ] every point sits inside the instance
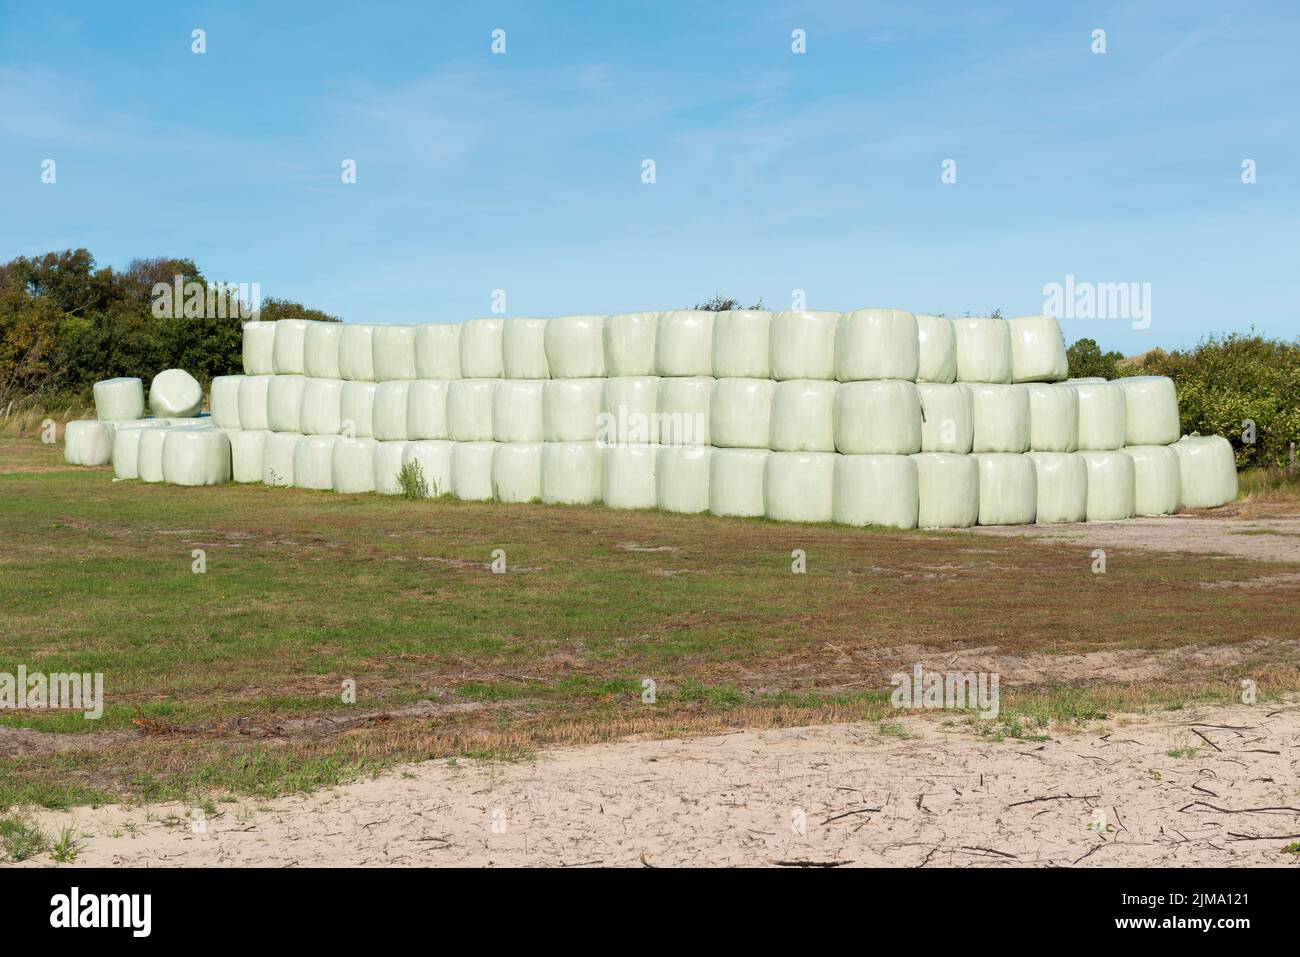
(774, 171)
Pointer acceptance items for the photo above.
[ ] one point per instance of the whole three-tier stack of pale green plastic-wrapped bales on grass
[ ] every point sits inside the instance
(874, 417)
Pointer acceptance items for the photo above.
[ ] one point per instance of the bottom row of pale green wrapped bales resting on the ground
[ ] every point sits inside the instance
(925, 490)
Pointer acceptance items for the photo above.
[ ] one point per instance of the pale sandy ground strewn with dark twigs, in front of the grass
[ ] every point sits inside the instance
(1107, 795)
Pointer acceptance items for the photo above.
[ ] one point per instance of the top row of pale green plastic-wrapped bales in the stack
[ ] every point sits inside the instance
(847, 348)
